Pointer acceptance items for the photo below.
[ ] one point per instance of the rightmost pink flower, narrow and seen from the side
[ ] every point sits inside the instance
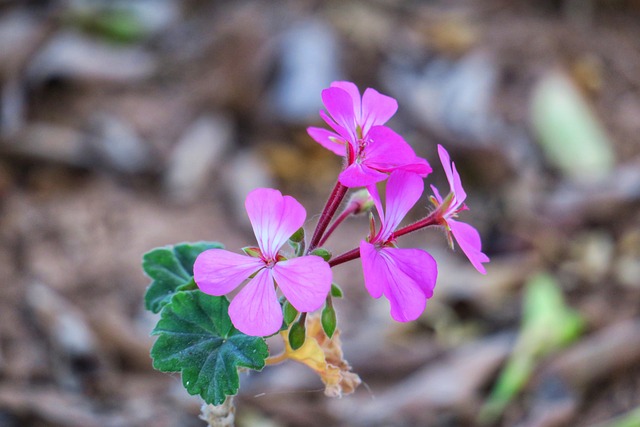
(467, 237)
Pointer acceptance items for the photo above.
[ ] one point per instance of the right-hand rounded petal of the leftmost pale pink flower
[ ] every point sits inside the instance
(305, 281)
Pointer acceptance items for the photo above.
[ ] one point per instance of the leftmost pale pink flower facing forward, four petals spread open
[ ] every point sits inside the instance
(304, 281)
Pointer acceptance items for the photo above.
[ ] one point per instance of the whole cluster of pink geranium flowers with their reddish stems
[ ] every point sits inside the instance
(372, 153)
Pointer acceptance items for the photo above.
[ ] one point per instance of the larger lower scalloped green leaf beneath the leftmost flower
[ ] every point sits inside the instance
(196, 338)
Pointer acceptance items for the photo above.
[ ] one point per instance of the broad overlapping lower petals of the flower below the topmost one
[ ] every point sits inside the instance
(405, 276)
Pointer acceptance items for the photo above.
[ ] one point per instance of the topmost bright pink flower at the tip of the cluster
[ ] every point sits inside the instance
(372, 151)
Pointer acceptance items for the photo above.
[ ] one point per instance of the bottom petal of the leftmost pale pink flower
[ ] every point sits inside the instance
(256, 310)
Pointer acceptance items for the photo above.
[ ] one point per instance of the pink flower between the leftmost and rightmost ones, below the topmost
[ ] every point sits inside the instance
(406, 277)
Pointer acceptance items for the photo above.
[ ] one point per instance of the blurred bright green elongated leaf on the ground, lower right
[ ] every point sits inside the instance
(548, 324)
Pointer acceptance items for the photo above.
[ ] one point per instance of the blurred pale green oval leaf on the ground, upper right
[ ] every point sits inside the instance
(571, 136)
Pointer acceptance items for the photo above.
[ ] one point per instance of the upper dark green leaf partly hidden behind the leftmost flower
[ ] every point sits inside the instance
(171, 270)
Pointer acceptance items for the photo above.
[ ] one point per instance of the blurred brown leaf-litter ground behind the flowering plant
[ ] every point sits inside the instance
(126, 125)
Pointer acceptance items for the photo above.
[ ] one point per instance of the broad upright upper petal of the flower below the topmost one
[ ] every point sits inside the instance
(403, 191)
